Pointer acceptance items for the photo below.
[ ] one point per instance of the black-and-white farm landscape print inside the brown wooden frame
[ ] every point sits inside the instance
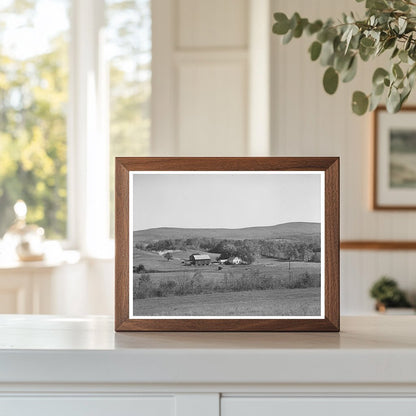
(226, 244)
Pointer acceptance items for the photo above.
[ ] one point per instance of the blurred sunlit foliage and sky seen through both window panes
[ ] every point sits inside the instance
(34, 91)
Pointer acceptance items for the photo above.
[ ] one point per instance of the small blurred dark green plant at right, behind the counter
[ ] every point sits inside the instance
(387, 294)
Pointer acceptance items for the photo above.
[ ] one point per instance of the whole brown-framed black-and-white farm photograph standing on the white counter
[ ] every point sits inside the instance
(227, 244)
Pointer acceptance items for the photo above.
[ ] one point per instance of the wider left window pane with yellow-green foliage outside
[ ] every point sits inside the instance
(33, 98)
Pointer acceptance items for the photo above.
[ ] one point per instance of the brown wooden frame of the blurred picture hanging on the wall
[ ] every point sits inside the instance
(376, 205)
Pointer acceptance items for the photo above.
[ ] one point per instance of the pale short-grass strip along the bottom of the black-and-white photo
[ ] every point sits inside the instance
(278, 302)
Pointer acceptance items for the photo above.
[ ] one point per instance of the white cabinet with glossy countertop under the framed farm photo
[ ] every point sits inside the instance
(51, 365)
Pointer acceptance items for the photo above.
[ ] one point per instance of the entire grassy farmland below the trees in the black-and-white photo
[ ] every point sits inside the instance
(266, 287)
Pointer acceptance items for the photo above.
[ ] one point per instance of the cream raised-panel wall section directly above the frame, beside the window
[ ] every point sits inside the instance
(202, 80)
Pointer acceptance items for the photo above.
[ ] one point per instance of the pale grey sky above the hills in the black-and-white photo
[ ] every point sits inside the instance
(200, 200)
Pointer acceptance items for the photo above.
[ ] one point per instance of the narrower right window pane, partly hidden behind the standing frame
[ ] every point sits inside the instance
(129, 45)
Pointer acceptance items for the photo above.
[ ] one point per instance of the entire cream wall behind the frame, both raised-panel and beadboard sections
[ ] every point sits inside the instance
(210, 97)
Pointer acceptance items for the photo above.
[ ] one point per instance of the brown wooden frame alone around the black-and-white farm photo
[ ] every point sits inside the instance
(330, 165)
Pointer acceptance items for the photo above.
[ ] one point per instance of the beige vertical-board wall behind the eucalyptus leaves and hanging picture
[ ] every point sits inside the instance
(308, 122)
